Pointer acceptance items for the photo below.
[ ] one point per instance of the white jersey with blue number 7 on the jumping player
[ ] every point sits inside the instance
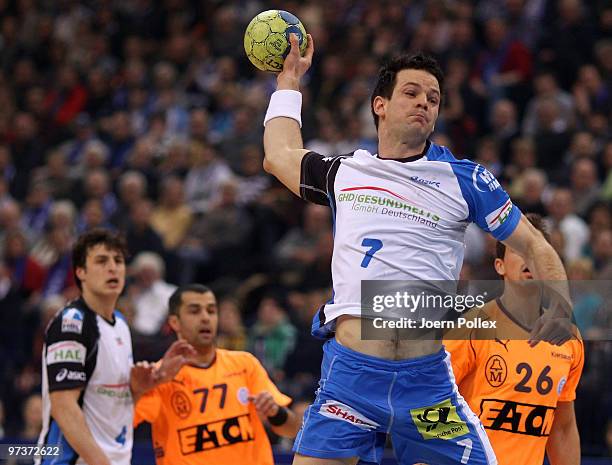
(400, 219)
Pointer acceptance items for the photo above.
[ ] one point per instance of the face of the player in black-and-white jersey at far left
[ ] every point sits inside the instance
(104, 272)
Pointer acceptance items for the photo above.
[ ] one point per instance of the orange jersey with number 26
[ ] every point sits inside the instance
(514, 388)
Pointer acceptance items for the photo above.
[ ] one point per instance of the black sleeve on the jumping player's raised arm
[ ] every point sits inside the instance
(314, 177)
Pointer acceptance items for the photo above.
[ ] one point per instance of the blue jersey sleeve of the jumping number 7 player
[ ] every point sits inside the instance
(490, 207)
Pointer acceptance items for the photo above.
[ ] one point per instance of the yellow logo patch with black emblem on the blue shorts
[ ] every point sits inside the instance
(439, 421)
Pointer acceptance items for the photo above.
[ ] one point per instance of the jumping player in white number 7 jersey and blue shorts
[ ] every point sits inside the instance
(400, 214)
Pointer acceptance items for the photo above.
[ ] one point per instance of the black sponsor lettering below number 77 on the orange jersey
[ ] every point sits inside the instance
(216, 434)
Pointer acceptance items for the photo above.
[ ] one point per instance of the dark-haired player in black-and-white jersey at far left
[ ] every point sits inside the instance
(89, 379)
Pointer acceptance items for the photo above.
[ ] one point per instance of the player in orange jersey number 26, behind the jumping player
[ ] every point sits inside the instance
(523, 395)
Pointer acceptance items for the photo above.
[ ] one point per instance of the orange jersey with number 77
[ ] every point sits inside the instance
(204, 416)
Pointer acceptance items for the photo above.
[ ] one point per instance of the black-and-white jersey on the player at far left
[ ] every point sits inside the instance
(83, 350)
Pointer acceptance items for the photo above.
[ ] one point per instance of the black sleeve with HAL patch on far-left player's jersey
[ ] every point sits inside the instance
(71, 343)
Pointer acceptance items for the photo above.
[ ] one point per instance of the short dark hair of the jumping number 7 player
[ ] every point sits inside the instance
(387, 75)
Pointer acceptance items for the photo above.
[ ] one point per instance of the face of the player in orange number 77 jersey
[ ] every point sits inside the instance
(198, 318)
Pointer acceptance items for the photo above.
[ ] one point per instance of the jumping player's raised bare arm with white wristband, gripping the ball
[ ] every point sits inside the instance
(283, 145)
